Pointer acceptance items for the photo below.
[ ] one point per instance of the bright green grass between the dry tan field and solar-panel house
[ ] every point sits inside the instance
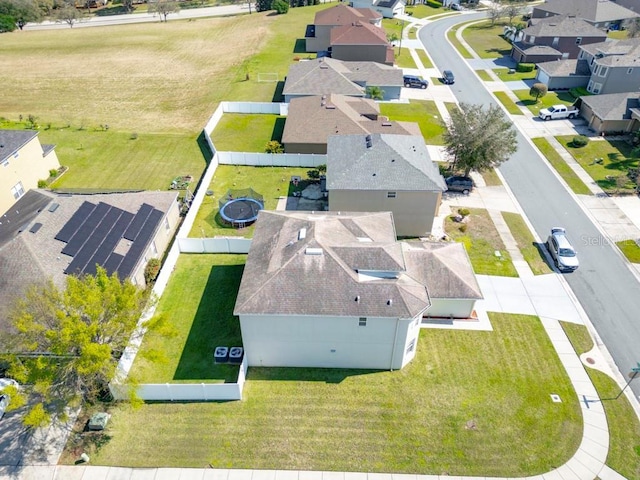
(115, 160)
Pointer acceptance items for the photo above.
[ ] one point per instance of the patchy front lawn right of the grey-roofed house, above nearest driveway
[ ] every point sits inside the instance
(481, 239)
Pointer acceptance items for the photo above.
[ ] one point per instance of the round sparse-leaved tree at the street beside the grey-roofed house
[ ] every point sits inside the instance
(479, 138)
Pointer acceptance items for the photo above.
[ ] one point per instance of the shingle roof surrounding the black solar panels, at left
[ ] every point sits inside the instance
(28, 256)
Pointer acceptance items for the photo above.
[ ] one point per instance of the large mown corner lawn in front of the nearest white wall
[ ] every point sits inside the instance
(459, 407)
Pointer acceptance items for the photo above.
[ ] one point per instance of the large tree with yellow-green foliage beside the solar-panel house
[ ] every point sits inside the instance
(67, 343)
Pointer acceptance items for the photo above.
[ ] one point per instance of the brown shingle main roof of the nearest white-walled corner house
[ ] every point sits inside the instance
(315, 274)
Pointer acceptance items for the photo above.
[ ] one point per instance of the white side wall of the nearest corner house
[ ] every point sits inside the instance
(328, 342)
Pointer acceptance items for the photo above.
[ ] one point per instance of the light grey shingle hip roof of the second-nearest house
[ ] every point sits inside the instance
(381, 162)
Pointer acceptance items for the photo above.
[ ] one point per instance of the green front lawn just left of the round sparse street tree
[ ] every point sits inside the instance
(423, 112)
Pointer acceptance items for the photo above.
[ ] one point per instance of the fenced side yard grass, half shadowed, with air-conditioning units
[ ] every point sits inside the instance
(198, 304)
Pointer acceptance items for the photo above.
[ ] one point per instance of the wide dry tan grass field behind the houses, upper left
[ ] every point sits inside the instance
(156, 77)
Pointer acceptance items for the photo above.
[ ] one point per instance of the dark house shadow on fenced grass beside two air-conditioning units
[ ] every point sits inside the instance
(213, 325)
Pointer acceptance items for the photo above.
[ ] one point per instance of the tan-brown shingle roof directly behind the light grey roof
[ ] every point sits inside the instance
(313, 119)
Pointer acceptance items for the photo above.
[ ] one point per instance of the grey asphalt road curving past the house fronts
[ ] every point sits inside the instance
(608, 291)
